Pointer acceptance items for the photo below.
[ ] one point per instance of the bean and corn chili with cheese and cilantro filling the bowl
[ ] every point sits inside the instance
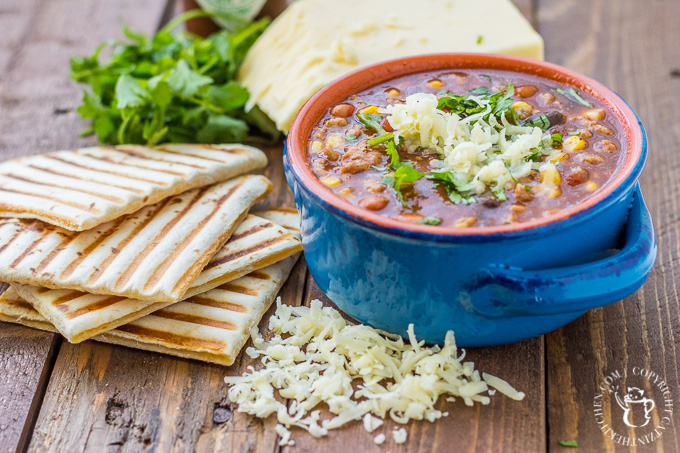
(466, 148)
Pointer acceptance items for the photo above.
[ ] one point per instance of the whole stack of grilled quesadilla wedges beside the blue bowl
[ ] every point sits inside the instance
(152, 248)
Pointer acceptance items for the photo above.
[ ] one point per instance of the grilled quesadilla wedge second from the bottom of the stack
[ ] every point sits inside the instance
(256, 243)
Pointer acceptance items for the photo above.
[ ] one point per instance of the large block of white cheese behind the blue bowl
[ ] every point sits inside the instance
(315, 41)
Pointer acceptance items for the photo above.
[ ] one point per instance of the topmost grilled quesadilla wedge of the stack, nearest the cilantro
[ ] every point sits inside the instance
(78, 190)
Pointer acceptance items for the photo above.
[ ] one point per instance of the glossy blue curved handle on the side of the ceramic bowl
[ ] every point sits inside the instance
(511, 291)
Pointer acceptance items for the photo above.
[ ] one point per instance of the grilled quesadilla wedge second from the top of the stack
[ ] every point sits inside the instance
(154, 254)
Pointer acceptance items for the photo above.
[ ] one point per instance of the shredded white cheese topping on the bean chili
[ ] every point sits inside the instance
(484, 154)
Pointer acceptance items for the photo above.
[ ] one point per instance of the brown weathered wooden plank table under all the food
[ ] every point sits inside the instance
(55, 396)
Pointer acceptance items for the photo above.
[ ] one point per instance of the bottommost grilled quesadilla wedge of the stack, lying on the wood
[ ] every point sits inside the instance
(212, 326)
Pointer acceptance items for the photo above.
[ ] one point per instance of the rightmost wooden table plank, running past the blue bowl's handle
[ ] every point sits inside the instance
(627, 48)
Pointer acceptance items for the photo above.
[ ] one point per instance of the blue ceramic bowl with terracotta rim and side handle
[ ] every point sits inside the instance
(491, 285)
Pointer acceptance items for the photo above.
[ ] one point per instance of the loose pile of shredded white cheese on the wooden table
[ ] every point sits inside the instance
(315, 356)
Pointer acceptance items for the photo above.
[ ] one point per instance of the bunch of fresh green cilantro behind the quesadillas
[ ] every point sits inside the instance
(171, 88)
